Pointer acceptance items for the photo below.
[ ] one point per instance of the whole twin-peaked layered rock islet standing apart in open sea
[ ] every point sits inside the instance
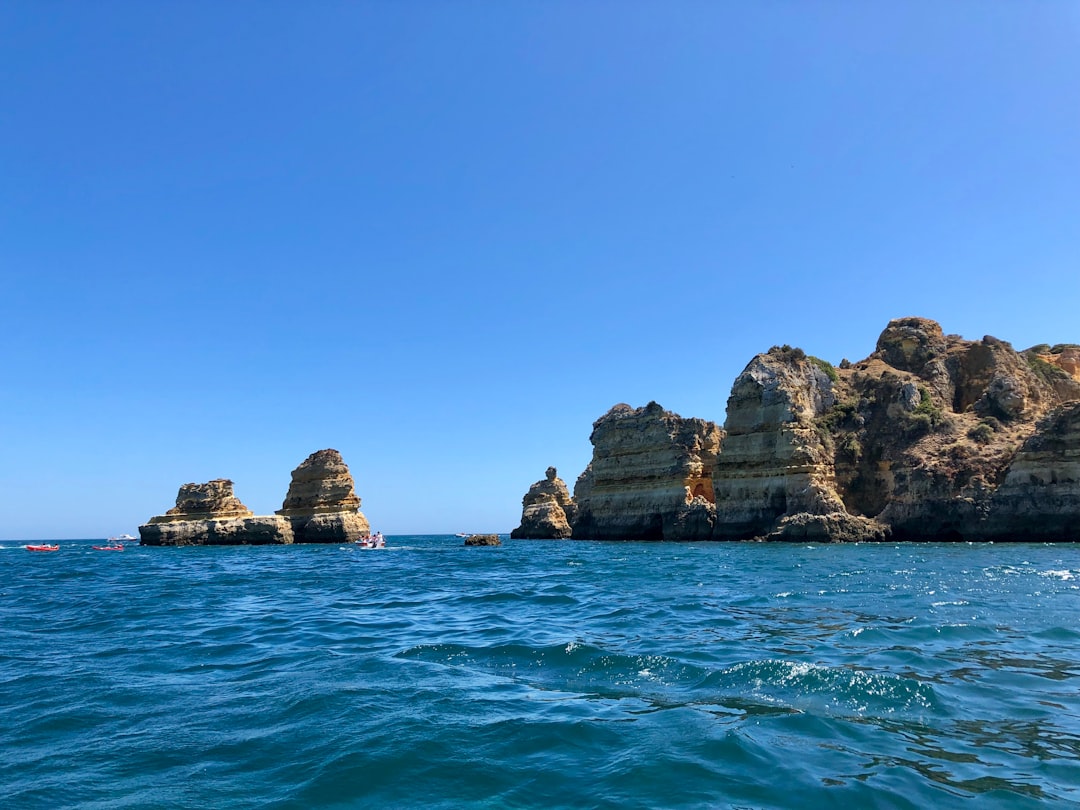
(321, 507)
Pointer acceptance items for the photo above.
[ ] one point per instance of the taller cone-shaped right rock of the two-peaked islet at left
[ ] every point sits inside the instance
(322, 504)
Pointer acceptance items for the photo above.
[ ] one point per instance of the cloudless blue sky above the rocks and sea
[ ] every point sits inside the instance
(445, 237)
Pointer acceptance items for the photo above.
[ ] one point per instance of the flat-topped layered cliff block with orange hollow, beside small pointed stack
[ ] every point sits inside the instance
(651, 478)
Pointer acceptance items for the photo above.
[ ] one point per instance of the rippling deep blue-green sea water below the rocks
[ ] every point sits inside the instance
(542, 674)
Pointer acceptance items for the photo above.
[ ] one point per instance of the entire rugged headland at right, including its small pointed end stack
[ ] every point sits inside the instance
(930, 438)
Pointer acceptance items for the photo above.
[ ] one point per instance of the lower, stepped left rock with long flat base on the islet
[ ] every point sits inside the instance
(210, 515)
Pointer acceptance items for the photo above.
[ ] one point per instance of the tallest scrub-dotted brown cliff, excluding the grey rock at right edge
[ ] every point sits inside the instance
(910, 443)
